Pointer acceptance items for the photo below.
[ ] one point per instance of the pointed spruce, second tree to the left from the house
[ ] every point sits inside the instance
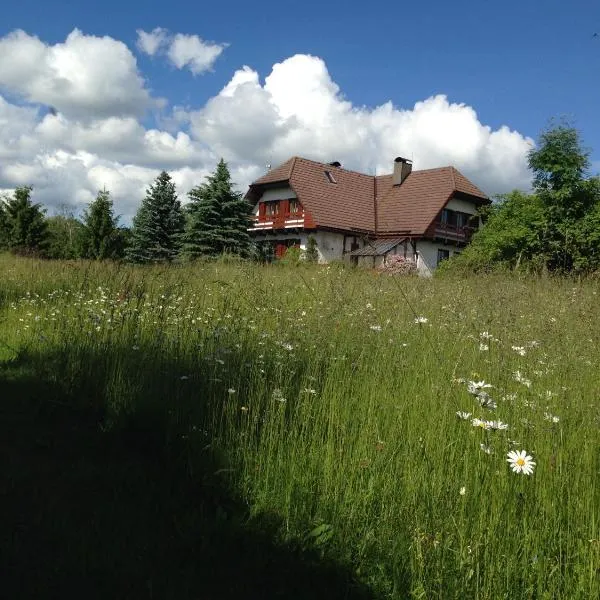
(158, 224)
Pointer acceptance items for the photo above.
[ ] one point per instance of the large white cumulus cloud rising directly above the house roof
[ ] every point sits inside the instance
(299, 110)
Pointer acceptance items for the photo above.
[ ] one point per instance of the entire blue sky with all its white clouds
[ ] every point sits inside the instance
(106, 95)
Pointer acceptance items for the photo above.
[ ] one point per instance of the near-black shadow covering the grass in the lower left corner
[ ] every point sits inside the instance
(100, 514)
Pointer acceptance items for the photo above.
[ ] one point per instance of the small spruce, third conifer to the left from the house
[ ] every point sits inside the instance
(99, 235)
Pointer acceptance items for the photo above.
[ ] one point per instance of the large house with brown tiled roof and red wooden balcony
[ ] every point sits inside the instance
(424, 216)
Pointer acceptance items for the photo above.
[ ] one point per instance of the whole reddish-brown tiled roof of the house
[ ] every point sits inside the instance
(348, 203)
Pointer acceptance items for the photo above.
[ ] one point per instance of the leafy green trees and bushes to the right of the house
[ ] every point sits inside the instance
(553, 228)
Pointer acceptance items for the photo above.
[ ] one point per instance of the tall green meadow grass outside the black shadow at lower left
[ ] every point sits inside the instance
(333, 408)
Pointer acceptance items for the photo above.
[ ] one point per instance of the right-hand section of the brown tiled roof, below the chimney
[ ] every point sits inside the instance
(412, 206)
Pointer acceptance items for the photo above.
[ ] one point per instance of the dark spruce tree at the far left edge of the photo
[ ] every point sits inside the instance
(27, 231)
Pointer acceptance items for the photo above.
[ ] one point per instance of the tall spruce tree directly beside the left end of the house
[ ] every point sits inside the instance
(218, 218)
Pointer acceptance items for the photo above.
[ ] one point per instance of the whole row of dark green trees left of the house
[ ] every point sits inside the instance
(215, 221)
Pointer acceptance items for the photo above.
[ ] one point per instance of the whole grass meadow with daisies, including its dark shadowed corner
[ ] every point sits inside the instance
(234, 430)
